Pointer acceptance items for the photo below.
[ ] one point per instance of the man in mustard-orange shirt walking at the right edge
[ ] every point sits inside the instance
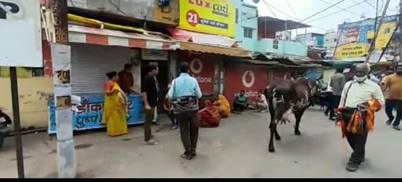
(393, 83)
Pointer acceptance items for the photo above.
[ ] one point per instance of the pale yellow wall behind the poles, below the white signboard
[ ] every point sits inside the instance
(33, 94)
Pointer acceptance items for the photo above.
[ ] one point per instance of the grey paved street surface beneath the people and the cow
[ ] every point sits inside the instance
(238, 148)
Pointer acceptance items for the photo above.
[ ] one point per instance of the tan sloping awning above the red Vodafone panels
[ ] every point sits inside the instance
(229, 51)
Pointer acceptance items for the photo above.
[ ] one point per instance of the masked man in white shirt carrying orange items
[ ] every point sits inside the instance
(360, 99)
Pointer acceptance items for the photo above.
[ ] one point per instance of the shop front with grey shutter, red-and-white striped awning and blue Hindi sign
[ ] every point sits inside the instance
(95, 52)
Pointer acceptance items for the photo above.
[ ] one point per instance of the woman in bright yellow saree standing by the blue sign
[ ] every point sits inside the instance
(115, 109)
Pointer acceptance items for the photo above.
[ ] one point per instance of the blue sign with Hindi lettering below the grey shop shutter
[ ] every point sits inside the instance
(89, 113)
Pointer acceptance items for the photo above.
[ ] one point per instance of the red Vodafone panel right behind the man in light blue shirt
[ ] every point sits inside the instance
(202, 67)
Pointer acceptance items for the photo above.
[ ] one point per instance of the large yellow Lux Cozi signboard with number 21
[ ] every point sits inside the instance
(208, 16)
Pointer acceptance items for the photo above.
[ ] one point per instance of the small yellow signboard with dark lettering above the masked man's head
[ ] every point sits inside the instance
(351, 51)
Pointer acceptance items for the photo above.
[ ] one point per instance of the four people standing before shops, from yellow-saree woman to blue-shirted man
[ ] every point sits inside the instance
(183, 96)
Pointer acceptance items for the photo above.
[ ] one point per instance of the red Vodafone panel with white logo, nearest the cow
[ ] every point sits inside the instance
(251, 78)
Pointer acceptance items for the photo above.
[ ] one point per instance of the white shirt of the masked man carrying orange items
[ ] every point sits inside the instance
(360, 93)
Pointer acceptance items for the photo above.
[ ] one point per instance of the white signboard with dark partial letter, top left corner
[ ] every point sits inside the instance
(20, 33)
